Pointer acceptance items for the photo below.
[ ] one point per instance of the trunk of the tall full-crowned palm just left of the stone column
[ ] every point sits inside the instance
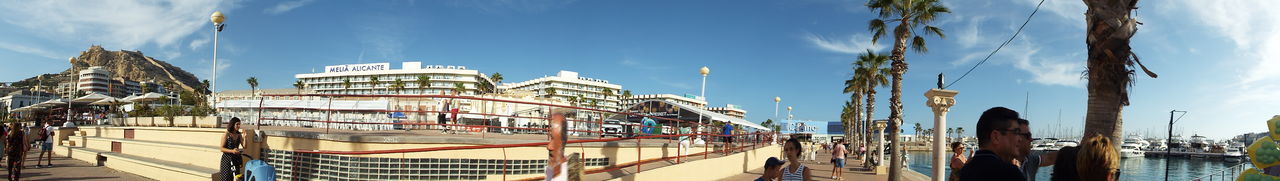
(895, 102)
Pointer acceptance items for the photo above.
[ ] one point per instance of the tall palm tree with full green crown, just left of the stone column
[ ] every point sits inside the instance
(912, 17)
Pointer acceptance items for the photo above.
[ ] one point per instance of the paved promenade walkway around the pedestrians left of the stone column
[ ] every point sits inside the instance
(821, 171)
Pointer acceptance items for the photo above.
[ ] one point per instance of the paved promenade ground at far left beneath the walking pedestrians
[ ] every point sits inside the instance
(68, 169)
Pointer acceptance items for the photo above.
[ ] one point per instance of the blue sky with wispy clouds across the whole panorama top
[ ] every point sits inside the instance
(1219, 61)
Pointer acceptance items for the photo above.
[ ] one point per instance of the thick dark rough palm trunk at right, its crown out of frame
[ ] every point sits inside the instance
(1110, 65)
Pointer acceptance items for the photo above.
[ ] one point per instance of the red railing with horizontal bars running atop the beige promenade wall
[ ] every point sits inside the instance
(756, 139)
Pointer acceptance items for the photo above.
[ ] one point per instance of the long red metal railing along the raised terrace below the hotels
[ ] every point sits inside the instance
(747, 141)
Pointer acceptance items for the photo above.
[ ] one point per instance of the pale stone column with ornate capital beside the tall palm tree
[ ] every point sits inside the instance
(941, 102)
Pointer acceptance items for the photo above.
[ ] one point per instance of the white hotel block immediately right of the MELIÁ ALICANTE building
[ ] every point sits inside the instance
(566, 85)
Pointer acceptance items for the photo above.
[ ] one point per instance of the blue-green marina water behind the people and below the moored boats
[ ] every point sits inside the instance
(1149, 169)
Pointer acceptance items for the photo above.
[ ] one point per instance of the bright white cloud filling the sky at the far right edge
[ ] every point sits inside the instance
(1254, 28)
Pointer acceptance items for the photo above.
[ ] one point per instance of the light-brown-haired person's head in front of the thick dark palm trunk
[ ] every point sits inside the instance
(1099, 160)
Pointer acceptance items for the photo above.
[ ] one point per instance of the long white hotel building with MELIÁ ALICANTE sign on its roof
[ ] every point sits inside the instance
(444, 80)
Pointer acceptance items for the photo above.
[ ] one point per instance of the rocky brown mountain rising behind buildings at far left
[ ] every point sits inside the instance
(124, 64)
